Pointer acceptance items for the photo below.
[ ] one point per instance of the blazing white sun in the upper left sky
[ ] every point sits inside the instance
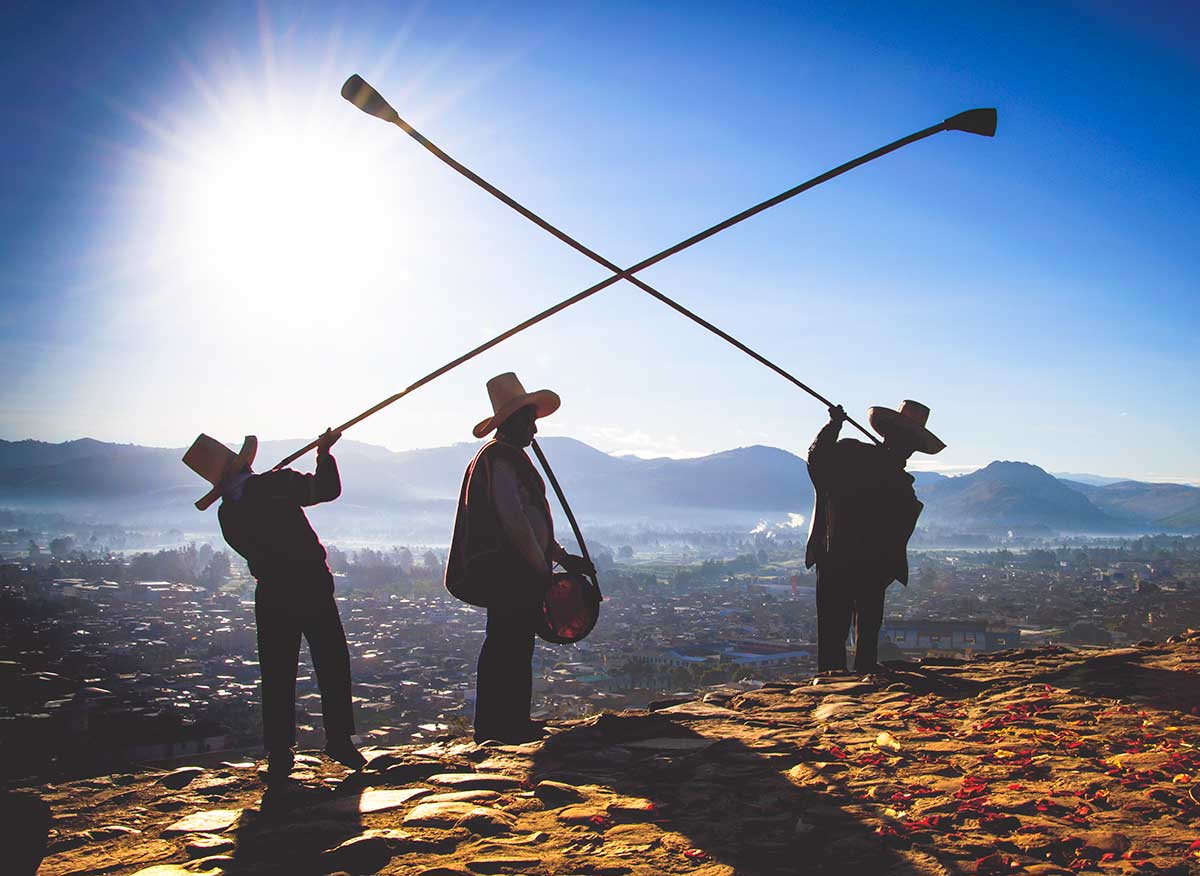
(272, 209)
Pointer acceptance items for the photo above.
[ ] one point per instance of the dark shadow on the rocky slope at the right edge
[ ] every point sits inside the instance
(1124, 676)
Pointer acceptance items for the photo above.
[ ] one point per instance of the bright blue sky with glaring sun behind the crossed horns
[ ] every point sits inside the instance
(200, 235)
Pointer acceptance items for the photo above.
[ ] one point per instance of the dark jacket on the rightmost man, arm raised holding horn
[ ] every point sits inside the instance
(866, 508)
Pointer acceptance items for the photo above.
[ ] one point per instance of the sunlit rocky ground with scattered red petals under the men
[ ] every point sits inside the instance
(1046, 761)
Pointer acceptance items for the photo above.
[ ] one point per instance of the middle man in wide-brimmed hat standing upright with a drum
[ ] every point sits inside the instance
(503, 554)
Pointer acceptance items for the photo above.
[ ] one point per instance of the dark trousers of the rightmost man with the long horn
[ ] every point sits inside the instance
(843, 597)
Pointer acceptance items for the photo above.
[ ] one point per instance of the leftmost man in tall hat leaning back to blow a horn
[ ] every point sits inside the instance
(262, 518)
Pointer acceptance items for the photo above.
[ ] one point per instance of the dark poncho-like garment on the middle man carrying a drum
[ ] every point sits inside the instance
(483, 562)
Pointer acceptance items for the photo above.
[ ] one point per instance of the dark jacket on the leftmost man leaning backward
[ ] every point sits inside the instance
(269, 529)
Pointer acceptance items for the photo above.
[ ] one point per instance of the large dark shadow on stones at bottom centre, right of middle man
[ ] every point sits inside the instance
(733, 803)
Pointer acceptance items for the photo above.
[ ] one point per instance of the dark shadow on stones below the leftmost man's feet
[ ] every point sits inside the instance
(295, 826)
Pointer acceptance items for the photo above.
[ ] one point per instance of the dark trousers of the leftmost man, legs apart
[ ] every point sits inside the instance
(281, 622)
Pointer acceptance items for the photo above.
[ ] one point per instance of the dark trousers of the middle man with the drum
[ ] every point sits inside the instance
(505, 676)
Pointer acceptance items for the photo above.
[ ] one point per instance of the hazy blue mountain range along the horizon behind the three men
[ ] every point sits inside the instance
(131, 483)
